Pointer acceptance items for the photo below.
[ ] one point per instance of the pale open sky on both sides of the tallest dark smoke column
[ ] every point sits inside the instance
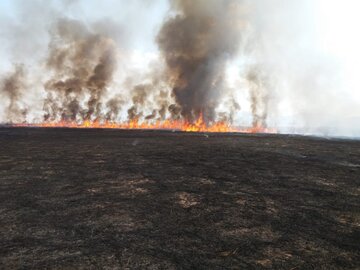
(309, 48)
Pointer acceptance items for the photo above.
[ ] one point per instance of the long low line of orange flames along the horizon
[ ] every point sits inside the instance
(180, 125)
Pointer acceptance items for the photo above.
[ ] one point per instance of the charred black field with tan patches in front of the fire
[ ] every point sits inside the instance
(112, 199)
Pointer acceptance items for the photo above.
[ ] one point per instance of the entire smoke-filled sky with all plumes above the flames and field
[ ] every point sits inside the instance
(279, 63)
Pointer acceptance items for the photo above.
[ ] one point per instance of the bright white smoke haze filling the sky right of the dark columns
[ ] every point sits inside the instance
(308, 51)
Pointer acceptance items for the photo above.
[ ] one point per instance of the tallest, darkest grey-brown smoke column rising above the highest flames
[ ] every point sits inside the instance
(195, 44)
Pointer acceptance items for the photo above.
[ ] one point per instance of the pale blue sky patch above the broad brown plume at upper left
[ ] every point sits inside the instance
(140, 16)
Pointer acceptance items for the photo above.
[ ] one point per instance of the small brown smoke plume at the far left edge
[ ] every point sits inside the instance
(12, 87)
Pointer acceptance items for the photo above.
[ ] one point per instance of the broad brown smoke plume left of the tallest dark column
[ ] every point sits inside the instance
(82, 63)
